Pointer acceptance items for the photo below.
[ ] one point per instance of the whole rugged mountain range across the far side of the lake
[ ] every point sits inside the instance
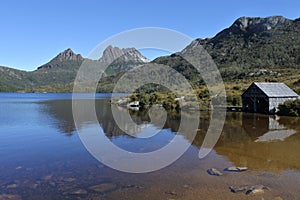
(252, 48)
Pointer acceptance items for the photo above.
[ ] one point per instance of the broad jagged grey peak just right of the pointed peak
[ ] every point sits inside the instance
(111, 54)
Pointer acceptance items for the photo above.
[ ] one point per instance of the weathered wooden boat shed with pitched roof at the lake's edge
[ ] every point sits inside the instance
(265, 97)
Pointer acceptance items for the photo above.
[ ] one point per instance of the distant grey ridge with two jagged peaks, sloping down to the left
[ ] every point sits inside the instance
(63, 68)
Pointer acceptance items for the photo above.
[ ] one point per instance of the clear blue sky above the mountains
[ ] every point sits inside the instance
(34, 31)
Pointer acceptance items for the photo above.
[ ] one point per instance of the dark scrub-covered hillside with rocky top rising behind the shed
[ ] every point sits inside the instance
(254, 43)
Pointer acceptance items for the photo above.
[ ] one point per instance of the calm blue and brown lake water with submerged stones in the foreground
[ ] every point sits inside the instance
(42, 156)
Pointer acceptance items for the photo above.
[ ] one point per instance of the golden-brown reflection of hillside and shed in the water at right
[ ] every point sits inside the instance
(262, 142)
